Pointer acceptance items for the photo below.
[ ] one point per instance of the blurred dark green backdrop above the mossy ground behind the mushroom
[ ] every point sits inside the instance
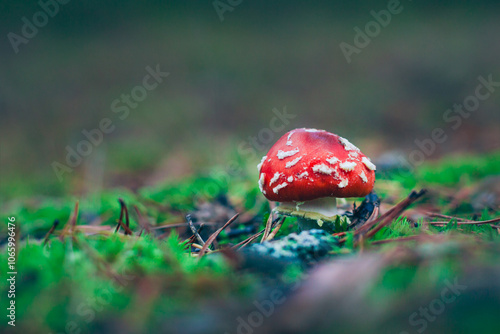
(225, 79)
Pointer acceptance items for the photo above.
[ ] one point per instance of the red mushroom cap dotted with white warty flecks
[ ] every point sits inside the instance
(306, 164)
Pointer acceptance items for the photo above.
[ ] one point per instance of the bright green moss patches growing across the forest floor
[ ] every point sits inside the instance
(74, 279)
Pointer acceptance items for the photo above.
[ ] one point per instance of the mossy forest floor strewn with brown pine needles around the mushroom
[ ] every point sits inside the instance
(129, 262)
